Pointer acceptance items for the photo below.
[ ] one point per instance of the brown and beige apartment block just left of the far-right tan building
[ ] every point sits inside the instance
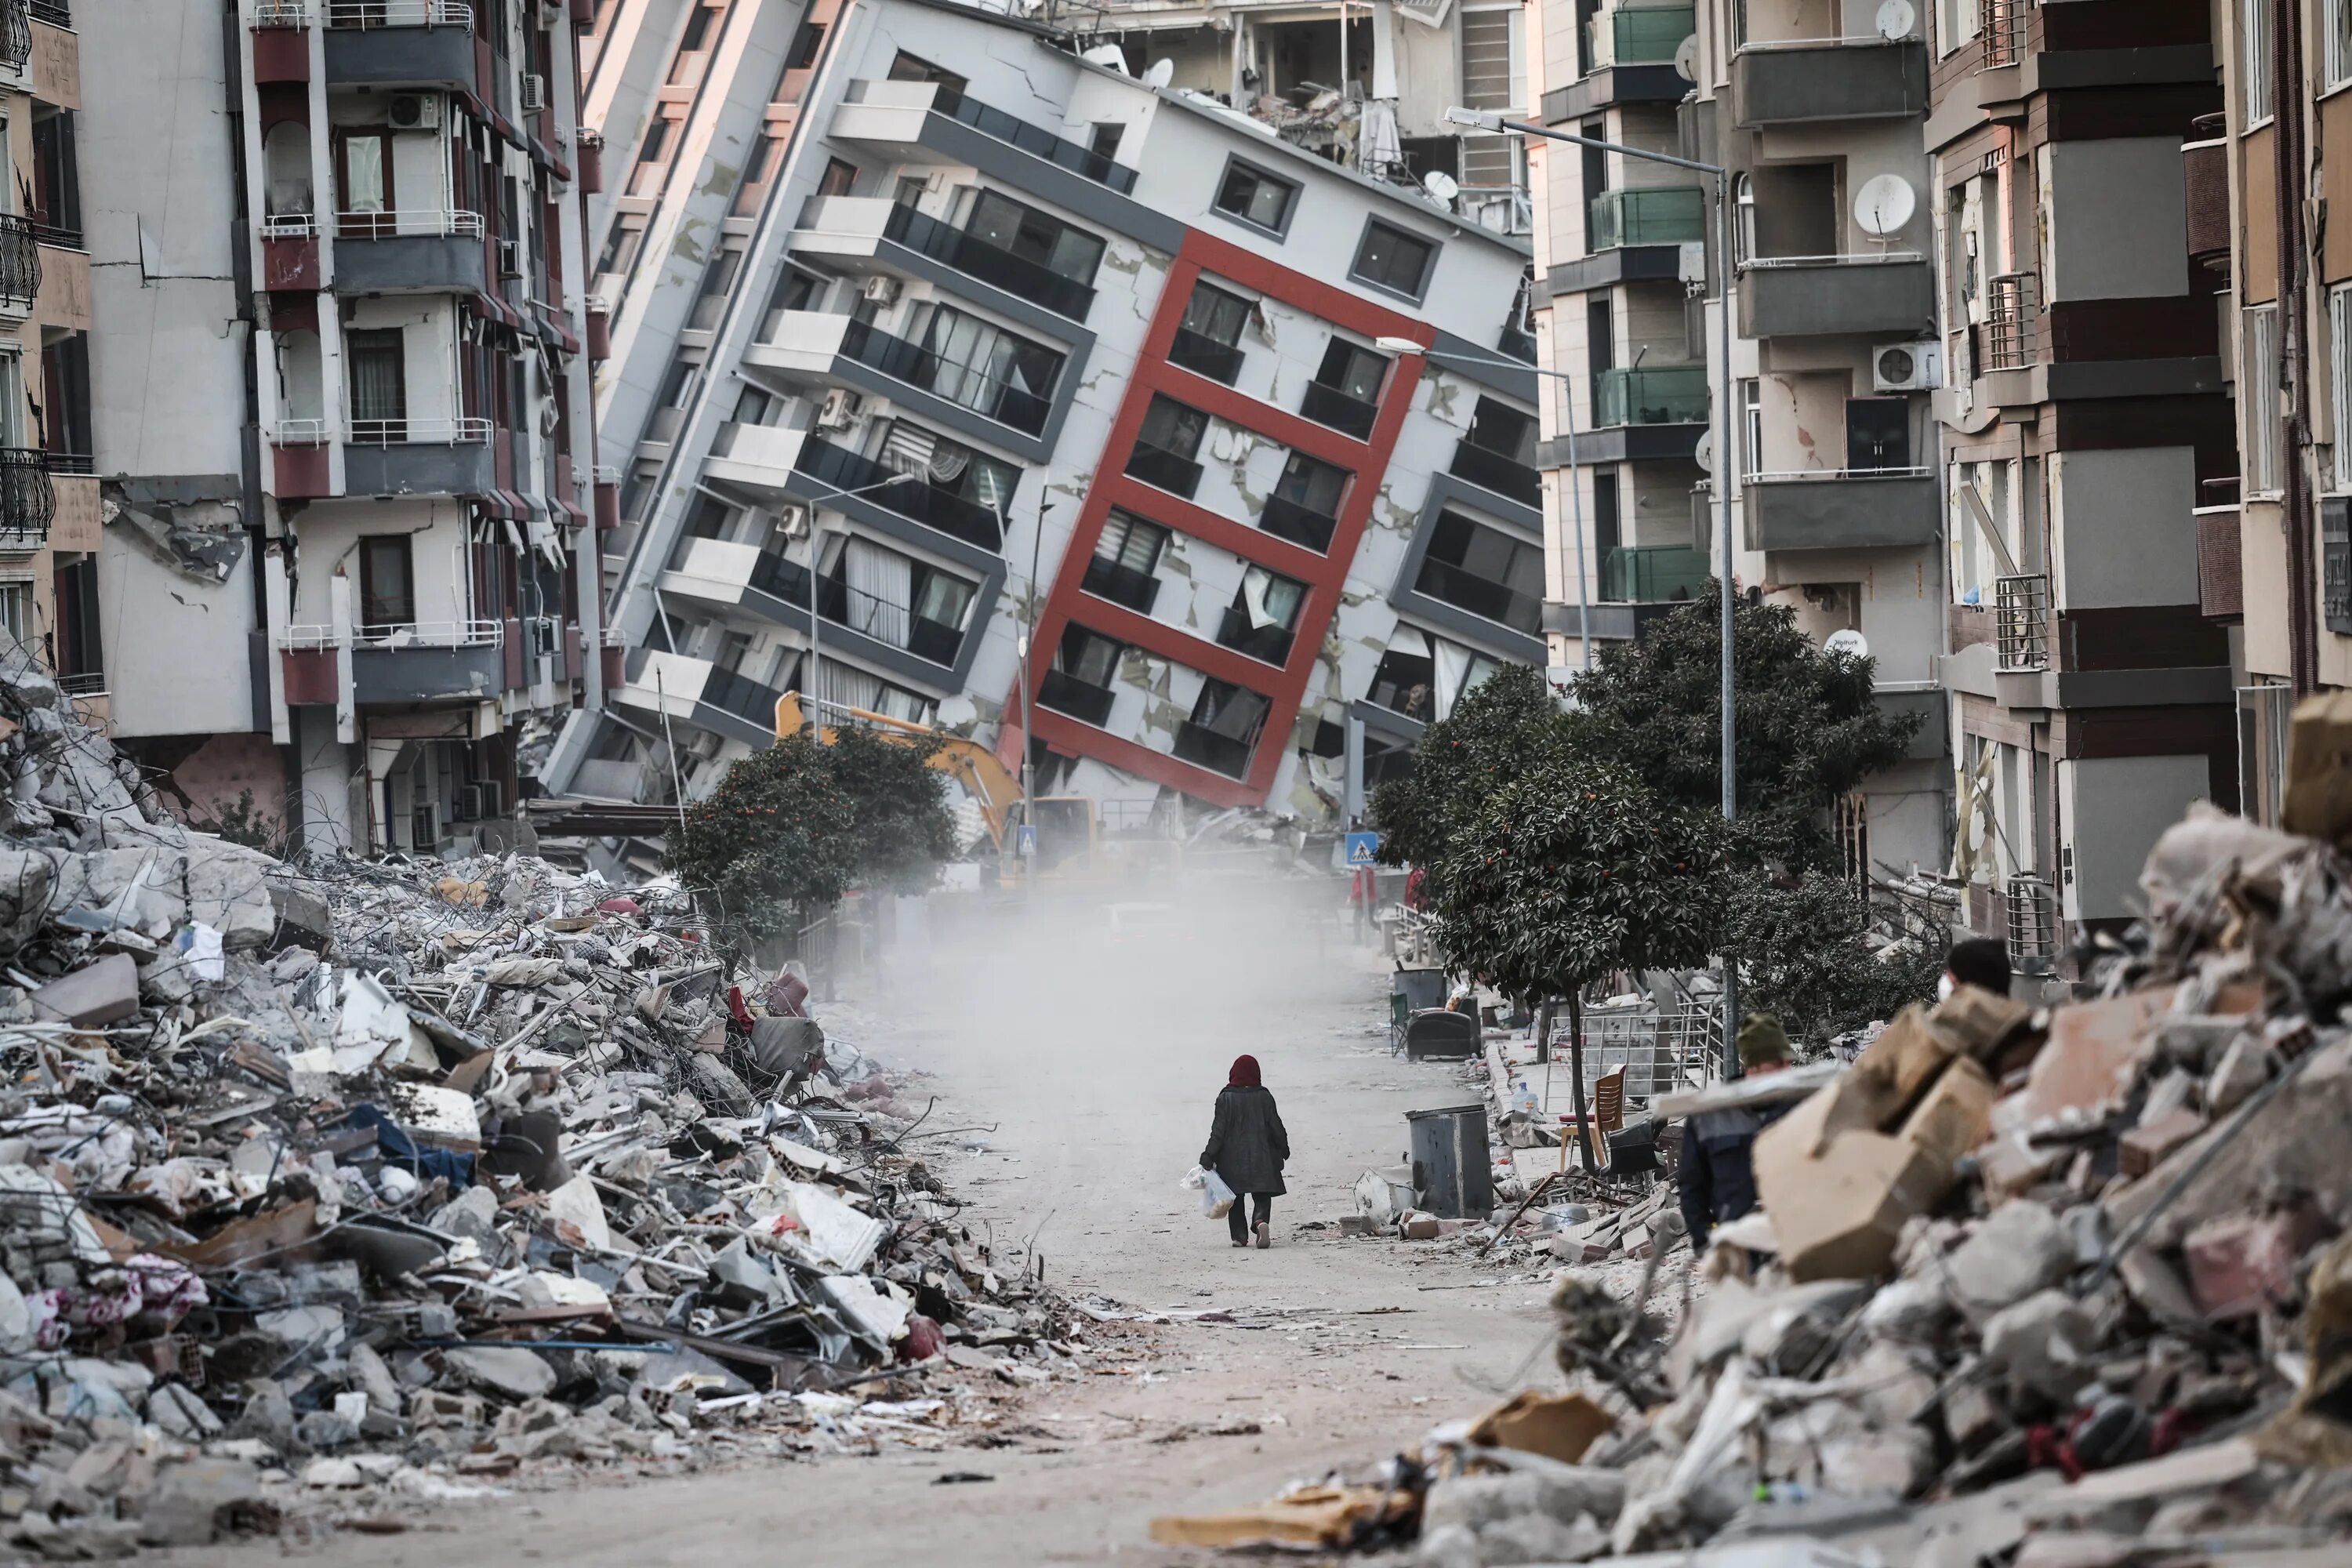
(2085, 422)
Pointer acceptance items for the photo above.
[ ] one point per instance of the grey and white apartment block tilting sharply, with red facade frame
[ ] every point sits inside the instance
(991, 335)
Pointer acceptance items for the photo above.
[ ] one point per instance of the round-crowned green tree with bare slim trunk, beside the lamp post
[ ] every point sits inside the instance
(1572, 873)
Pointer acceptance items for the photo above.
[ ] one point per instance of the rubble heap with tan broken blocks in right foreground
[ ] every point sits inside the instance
(2029, 1287)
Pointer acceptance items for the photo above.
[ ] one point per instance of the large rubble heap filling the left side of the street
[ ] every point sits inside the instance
(399, 1179)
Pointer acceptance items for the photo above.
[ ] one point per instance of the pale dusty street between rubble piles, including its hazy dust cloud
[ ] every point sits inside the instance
(1097, 1054)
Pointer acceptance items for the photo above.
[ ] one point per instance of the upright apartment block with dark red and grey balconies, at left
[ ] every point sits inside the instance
(335, 370)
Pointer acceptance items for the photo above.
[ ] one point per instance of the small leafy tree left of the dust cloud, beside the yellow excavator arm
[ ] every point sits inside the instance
(794, 829)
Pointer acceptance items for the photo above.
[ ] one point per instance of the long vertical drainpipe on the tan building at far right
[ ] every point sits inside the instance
(2297, 495)
